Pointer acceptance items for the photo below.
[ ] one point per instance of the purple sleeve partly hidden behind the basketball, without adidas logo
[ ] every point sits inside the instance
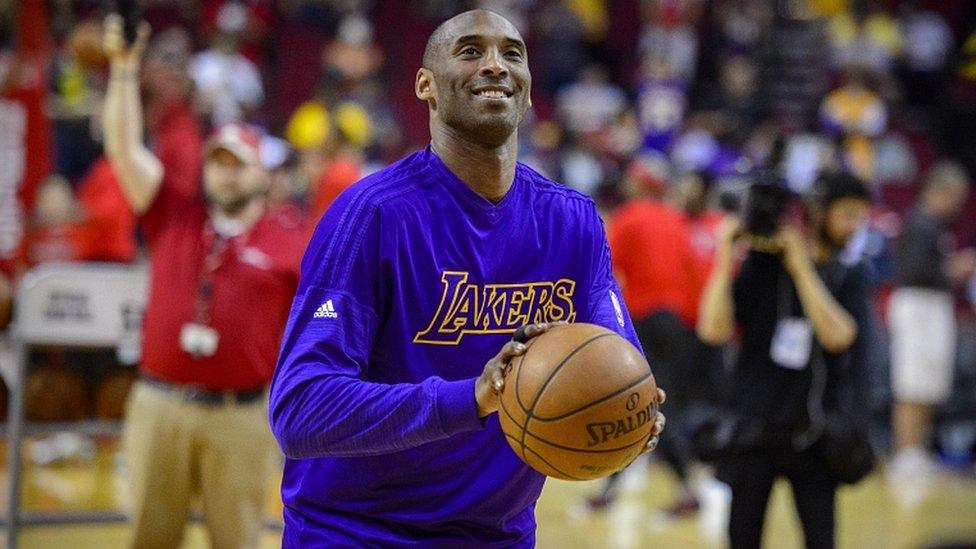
(607, 309)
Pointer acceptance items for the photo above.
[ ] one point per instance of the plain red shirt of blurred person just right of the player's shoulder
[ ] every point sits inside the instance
(649, 246)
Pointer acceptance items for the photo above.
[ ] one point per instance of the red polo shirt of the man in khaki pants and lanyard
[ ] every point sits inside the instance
(254, 280)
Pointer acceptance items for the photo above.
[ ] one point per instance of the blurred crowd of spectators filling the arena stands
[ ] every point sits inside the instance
(882, 89)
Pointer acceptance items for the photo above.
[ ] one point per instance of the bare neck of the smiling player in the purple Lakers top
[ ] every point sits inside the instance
(489, 171)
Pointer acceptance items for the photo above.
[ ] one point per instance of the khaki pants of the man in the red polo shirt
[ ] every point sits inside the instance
(175, 450)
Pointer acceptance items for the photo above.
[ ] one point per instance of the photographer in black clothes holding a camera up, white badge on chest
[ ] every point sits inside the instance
(798, 310)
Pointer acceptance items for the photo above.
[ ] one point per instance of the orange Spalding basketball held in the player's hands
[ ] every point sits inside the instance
(579, 404)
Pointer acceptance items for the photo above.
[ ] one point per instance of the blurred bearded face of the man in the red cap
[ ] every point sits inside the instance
(231, 184)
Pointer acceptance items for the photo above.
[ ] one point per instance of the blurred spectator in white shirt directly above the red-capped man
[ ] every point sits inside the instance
(228, 84)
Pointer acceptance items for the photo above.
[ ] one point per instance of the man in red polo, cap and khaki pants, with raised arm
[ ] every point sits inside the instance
(224, 271)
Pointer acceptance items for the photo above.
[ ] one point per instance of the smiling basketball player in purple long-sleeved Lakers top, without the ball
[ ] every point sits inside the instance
(411, 288)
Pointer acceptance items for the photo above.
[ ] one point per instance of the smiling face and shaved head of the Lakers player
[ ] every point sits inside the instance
(479, 83)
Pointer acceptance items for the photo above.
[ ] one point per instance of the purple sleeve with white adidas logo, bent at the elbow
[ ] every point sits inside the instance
(320, 404)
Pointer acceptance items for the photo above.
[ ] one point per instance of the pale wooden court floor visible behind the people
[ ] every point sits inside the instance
(867, 515)
